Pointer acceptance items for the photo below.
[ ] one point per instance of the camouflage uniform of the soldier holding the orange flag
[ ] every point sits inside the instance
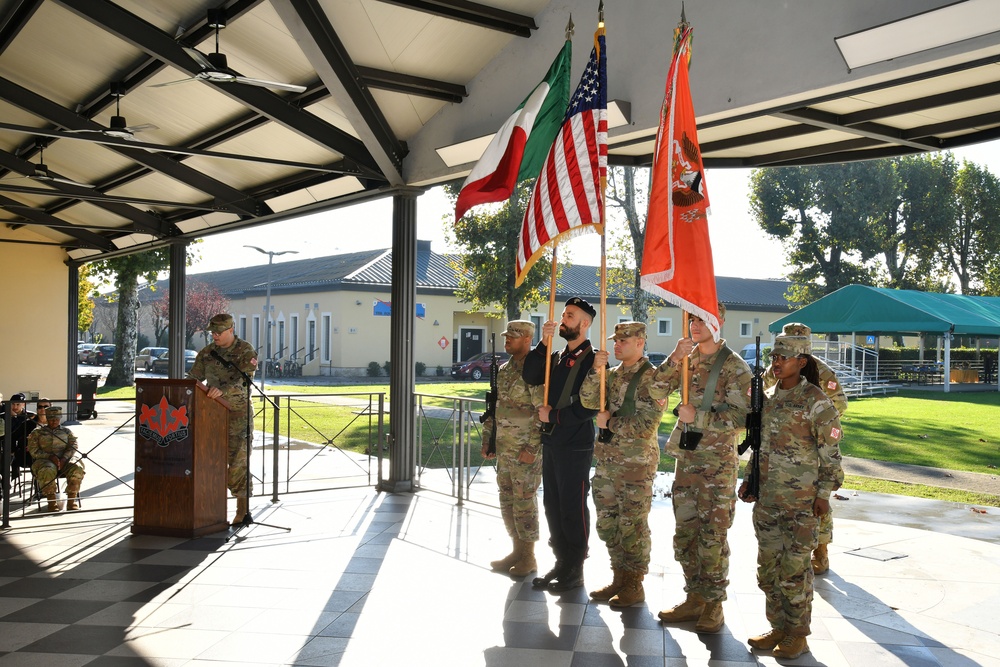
(704, 490)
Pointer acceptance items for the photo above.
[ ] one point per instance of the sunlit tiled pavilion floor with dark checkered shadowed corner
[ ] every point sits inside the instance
(374, 579)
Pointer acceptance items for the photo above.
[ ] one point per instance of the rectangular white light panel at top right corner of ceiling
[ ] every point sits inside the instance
(938, 27)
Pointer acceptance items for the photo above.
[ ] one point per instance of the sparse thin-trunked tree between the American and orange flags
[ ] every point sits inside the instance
(625, 267)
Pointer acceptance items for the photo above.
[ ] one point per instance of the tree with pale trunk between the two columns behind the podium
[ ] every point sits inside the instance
(124, 273)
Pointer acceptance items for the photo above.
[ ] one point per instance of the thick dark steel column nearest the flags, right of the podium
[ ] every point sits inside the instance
(402, 435)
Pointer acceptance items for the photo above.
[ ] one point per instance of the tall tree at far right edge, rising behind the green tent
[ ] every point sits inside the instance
(970, 246)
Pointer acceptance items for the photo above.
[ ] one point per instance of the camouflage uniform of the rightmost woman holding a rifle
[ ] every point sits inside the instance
(800, 462)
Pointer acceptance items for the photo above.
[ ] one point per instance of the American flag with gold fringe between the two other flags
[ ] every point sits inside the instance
(568, 196)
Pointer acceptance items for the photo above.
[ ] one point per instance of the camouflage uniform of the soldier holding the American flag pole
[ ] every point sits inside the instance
(623, 481)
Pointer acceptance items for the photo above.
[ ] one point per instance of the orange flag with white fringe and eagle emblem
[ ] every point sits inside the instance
(677, 255)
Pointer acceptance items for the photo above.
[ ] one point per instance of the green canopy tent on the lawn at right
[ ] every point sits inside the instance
(860, 309)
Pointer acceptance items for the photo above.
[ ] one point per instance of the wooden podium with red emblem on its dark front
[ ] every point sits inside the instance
(181, 446)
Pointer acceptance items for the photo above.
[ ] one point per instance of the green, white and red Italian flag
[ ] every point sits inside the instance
(519, 147)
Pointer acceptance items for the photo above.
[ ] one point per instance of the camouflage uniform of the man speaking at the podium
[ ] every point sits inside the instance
(217, 374)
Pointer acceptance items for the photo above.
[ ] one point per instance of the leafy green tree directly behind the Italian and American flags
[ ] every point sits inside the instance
(488, 239)
